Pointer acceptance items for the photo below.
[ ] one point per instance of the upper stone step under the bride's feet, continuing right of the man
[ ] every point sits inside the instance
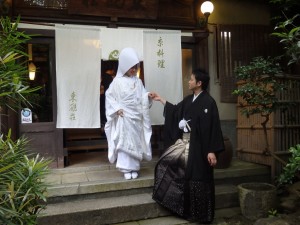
(103, 179)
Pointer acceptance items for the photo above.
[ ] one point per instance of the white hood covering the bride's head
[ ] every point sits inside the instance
(127, 59)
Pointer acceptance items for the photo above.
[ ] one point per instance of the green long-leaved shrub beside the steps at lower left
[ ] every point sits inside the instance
(22, 186)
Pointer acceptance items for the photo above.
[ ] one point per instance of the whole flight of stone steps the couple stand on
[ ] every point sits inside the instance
(100, 194)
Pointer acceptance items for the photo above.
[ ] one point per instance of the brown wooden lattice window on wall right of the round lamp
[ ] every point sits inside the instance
(237, 45)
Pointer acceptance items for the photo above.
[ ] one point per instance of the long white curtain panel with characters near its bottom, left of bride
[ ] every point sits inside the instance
(77, 76)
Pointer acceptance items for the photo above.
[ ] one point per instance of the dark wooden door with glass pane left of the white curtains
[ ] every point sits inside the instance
(44, 138)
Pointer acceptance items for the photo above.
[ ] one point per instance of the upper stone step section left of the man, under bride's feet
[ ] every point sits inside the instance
(97, 181)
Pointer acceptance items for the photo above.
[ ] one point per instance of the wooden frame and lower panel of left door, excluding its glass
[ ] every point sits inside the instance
(44, 138)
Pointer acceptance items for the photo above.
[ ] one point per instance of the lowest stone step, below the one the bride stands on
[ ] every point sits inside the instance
(109, 210)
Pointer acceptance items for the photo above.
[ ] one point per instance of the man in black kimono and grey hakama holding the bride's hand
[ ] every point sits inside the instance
(190, 194)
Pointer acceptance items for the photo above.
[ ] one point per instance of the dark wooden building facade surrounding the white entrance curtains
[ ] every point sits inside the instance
(235, 43)
